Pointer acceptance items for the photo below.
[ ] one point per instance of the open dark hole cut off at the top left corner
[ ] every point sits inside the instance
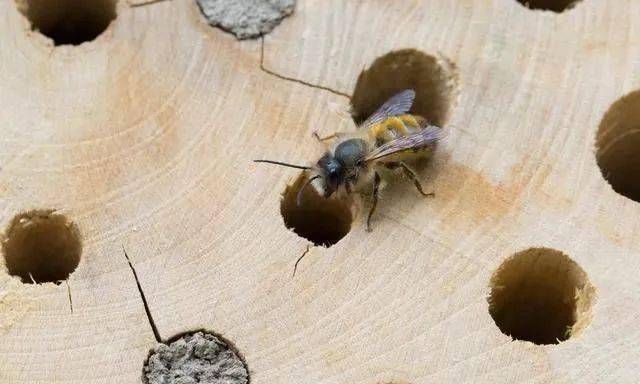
(69, 22)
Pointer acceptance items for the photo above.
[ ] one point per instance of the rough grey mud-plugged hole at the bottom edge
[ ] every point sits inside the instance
(195, 357)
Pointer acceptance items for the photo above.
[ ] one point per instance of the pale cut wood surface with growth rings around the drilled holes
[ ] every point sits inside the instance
(144, 139)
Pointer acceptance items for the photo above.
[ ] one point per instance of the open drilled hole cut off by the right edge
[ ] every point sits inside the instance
(618, 145)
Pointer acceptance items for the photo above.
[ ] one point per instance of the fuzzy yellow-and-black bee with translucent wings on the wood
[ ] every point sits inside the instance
(382, 143)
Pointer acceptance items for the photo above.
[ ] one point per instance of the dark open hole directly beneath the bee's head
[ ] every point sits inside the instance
(320, 220)
